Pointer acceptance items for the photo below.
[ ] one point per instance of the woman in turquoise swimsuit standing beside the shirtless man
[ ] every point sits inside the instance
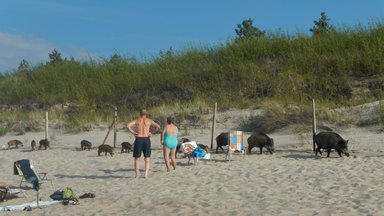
(169, 142)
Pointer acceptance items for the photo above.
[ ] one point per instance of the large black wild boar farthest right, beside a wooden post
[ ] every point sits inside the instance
(331, 140)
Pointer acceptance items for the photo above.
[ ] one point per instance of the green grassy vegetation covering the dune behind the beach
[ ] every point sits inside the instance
(343, 67)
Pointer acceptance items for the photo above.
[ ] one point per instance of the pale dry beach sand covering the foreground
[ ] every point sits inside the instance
(291, 182)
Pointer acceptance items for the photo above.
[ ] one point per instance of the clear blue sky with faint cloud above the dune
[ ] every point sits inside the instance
(98, 29)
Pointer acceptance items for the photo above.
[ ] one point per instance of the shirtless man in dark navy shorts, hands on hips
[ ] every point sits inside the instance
(142, 141)
